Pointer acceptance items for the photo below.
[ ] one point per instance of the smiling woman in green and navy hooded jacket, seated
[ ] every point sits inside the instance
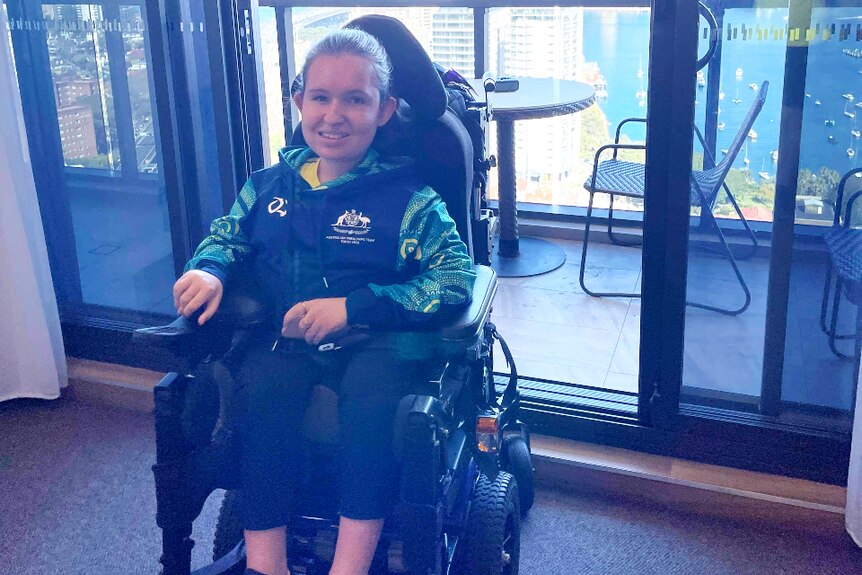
(346, 244)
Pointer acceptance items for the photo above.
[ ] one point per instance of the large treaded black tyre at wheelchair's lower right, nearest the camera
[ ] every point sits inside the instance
(491, 544)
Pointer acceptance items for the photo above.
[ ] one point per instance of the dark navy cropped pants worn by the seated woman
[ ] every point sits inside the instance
(370, 380)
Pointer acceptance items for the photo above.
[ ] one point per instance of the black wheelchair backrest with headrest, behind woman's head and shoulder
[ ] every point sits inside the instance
(423, 128)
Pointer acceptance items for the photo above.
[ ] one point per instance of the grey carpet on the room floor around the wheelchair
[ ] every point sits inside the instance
(76, 497)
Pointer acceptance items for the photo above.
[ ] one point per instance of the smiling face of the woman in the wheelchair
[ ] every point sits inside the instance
(341, 111)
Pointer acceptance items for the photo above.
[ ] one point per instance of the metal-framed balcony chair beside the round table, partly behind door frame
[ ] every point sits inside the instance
(621, 178)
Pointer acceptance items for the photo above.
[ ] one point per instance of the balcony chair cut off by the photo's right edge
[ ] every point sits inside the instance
(844, 244)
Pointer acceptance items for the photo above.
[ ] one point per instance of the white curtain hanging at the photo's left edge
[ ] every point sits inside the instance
(32, 361)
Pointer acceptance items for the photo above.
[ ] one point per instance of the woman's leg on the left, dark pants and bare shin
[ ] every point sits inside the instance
(277, 386)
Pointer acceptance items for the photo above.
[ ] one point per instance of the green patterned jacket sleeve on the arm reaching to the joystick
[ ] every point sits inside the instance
(227, 244)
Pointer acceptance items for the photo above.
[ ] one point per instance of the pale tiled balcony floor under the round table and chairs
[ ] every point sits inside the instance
(559, 333)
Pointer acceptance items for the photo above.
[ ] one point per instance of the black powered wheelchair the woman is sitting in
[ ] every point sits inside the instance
(466, 475)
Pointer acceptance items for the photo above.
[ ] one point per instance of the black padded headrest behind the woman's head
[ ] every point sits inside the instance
(414, 77)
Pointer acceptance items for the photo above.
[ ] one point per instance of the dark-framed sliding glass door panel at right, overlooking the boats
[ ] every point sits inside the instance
(771, 114)
